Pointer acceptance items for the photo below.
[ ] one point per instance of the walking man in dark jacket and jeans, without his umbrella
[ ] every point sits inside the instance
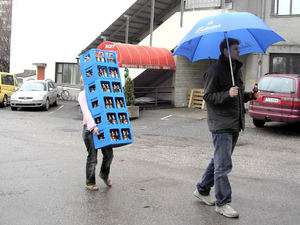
(226, 118)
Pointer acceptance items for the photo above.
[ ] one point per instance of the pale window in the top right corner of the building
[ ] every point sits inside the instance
(286, 7)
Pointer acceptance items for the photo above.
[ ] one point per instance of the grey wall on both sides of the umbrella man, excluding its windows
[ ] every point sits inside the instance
(255, 65)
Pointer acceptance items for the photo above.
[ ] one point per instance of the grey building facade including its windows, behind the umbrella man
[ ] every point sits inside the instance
(283, 16)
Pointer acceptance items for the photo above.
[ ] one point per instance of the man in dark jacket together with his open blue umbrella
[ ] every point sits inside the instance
(239, 33)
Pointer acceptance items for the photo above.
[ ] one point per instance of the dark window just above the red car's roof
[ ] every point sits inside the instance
(285, 63)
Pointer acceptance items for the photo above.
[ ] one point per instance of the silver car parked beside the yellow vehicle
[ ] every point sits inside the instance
(35, 93)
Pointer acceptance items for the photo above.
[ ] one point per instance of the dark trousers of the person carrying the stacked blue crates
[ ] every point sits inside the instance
(91, 160)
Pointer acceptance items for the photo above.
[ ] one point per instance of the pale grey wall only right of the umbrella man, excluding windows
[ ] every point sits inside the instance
(286, 26)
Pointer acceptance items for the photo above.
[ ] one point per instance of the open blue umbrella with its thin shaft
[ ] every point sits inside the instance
(203, 41)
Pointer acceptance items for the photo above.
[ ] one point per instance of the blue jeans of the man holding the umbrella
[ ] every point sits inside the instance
(219, 167)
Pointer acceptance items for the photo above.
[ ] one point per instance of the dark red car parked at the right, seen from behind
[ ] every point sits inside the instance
(279, 99)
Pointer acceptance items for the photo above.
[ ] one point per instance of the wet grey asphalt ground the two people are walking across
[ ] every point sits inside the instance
(42, 172)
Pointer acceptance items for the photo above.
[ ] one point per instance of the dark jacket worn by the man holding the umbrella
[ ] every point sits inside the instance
(225, 114)
